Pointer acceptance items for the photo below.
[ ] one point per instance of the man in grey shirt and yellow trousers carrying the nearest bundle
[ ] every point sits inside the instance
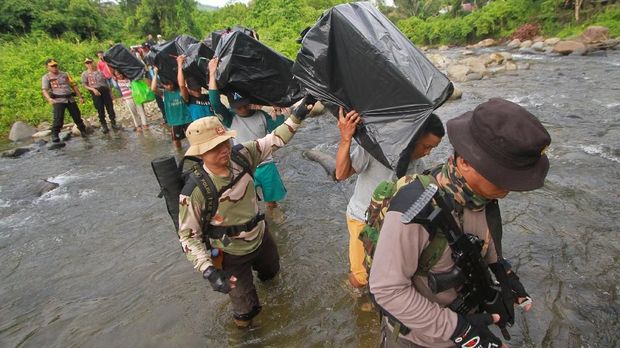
(370, 173)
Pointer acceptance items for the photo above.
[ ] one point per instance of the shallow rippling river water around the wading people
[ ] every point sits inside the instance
(95, 263)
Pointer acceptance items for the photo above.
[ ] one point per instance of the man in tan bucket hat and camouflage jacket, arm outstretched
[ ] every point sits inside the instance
(236, 230)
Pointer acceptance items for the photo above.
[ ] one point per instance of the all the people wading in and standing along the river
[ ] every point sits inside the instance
(423, 267)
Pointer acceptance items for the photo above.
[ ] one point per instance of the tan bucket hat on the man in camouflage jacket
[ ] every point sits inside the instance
(206, 133)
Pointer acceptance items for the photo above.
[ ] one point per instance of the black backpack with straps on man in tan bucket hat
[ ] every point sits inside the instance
(173, 178)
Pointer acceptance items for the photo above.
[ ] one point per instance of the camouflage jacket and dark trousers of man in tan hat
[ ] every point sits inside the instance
(237, 205)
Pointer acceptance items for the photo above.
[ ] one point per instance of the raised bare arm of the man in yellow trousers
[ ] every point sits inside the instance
(347, 125)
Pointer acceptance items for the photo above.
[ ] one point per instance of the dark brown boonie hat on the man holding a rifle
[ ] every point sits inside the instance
(504, 142)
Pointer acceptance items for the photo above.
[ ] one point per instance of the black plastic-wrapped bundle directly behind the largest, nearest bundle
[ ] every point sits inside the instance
(255, 71)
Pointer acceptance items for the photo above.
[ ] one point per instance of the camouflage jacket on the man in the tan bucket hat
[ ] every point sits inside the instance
(237, 205)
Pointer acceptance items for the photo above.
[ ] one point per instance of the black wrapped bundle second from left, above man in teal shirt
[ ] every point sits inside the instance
(166, 56)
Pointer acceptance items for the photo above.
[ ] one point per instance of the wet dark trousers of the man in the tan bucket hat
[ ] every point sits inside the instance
(265, 261)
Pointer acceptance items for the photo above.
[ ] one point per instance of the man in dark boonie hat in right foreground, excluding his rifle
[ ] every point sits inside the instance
(499, 147)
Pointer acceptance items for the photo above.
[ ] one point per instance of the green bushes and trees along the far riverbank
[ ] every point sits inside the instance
(69, 30)
